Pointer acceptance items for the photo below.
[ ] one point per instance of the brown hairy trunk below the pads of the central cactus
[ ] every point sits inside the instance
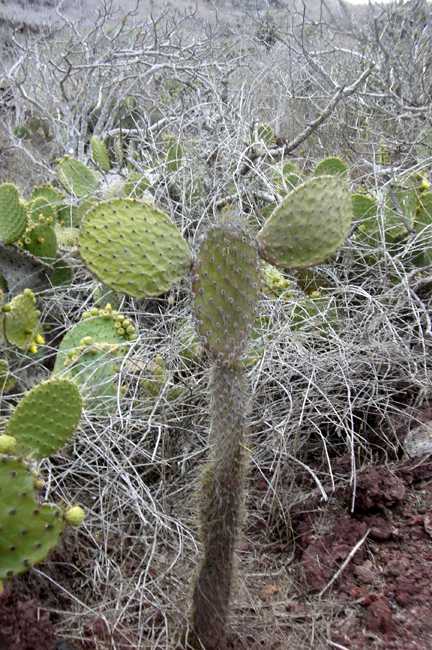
(221, 505)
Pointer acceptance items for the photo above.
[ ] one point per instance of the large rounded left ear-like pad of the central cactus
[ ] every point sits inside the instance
(133, 247)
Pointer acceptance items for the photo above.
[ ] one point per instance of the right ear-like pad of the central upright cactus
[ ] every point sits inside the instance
(309, 225)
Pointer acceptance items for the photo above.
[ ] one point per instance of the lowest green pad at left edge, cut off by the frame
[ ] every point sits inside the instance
(28, 532)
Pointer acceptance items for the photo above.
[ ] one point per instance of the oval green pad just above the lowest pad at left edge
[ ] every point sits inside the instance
(46, 417)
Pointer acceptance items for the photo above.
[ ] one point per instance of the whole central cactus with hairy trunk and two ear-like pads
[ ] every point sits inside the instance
(136, 249)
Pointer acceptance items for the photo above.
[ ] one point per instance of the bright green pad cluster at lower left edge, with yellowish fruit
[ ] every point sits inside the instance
(41, 423)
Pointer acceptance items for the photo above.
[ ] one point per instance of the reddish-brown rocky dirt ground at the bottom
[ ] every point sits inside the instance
(381, 599)
